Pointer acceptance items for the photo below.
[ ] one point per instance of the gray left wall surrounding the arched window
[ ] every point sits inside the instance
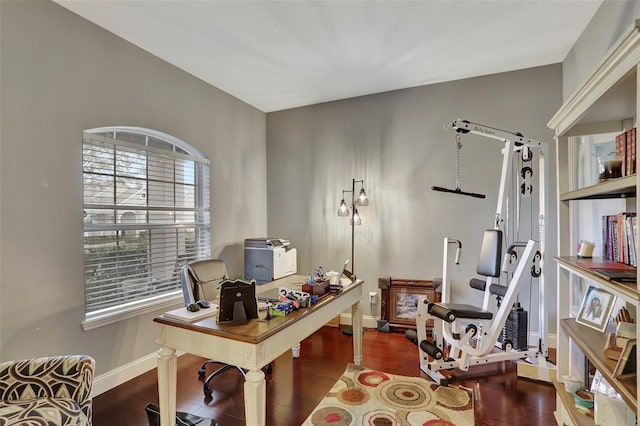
(60, 75)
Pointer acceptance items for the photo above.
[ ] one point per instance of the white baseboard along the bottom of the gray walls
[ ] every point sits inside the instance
(122, 374)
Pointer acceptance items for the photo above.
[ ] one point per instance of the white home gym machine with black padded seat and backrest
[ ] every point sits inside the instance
(465, 335)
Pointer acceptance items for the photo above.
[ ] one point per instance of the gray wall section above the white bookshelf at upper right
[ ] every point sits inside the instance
(611, 21)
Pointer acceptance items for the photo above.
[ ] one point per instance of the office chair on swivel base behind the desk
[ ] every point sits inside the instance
(200, 281)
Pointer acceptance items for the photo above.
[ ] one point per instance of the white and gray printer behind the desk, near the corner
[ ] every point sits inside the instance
(267, 259)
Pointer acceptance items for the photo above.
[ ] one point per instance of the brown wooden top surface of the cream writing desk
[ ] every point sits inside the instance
(256, 330)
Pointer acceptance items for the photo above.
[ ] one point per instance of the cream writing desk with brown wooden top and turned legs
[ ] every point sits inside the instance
(250, 346)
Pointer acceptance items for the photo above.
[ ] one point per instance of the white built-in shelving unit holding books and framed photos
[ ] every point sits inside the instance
(607, 102)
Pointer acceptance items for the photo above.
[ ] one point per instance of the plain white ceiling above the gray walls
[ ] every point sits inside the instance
(277, 55)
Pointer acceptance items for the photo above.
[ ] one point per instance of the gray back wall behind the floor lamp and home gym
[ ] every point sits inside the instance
(395, 141)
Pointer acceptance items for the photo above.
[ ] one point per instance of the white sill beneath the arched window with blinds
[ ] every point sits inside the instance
(119, 313)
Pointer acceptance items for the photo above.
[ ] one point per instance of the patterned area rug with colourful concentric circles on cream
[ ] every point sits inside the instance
(369, 397)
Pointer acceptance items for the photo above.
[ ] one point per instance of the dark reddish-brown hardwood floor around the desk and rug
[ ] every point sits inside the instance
(295, 387)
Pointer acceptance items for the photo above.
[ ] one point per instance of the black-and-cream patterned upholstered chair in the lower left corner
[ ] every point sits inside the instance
(46, 391)
